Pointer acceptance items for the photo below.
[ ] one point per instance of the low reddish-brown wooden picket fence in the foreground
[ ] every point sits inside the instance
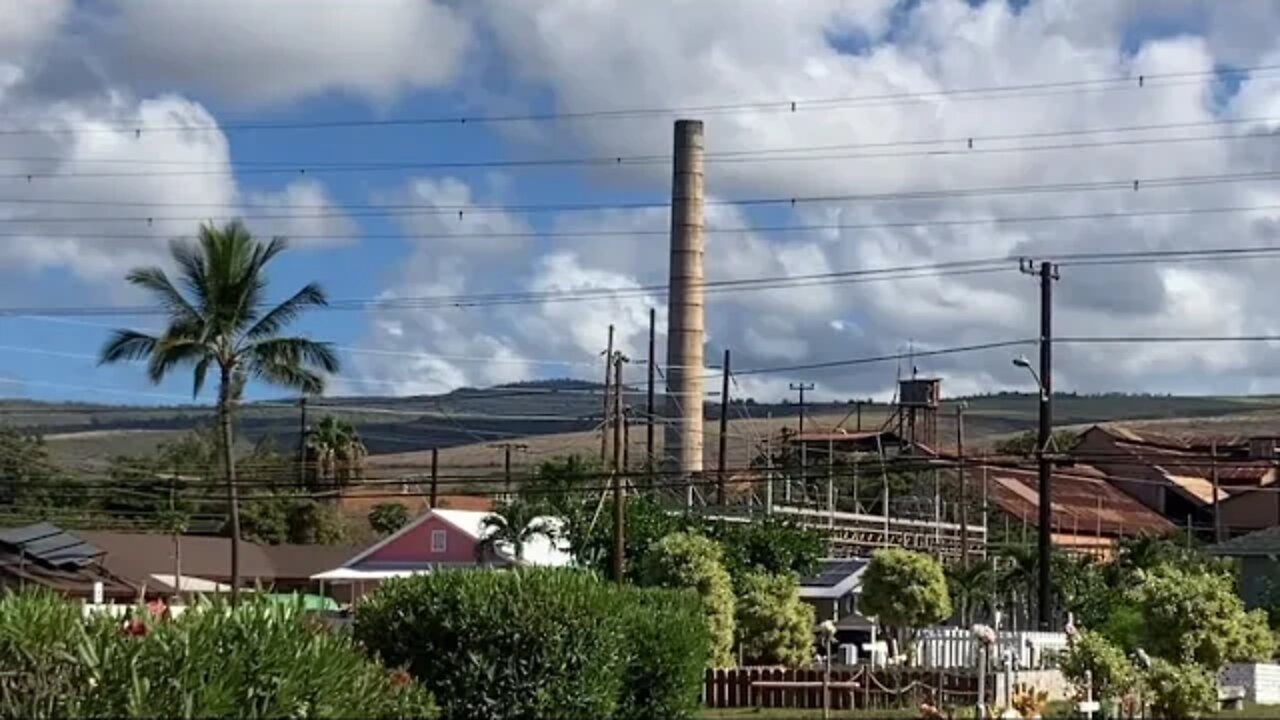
(883, 689)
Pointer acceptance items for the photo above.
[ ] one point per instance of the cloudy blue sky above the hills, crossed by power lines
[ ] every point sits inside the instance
(66, 66)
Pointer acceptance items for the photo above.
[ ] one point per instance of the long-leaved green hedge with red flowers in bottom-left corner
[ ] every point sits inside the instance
(259, 660)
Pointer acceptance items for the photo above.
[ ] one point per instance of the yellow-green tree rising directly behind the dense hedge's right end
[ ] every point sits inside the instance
(688, 560)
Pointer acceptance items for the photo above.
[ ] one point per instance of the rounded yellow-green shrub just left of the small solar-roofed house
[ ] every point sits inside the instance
(774, 625)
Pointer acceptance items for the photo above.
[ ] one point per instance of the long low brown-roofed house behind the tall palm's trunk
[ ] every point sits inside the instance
(147, 560)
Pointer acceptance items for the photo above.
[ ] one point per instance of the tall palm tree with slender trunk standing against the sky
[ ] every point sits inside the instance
(221, 320)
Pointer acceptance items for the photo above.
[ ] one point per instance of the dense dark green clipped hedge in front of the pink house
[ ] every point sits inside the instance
(547, 644)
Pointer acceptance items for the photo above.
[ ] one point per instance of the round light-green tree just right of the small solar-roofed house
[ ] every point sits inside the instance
(906, 591)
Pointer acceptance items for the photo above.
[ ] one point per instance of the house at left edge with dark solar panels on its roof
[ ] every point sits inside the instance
(47, 557)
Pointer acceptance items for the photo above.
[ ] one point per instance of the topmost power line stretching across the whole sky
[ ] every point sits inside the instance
(775, 106)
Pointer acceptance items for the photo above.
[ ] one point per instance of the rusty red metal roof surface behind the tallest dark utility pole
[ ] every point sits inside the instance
(1084, 503)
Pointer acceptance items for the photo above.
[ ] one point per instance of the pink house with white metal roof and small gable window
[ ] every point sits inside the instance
(438, 540)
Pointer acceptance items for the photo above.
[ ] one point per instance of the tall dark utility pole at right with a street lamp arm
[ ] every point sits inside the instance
(1048, 274)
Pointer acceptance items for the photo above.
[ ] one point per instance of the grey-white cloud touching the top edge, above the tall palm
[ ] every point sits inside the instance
(275, 52)
